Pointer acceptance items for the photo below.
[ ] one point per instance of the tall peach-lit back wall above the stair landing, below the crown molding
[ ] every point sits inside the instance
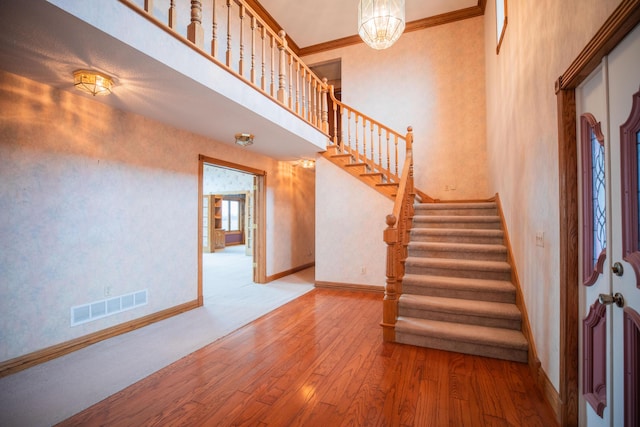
(433, 80)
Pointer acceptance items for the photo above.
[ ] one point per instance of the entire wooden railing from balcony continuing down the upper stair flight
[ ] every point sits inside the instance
(234, 36)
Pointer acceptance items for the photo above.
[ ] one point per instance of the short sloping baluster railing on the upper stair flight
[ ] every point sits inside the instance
(367, 140)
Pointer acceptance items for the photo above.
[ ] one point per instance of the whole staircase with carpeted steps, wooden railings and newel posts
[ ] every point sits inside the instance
(454, 290)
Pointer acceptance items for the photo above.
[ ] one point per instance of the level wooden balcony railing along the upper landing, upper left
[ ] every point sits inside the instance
(241, 42)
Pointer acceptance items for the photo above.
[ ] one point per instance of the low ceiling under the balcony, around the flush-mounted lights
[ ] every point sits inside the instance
(45, 44)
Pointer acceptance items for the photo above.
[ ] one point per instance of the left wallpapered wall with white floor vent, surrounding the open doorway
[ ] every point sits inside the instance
(93, 197)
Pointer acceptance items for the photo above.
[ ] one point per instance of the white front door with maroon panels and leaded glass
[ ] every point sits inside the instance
(608, 108)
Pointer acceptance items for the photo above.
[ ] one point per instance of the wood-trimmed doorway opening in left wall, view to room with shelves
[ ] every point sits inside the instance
(231, 239)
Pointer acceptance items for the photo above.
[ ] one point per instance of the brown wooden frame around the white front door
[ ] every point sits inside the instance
(623, 19)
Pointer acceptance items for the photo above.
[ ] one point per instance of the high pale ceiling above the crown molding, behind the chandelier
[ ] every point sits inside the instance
(310, 22)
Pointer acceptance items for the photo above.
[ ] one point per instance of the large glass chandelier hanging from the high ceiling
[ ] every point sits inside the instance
(380, 22)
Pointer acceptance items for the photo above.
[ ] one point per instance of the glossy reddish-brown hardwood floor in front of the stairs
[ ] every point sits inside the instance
(320, 361)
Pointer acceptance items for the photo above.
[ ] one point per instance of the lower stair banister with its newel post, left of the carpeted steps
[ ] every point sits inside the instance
(396, 236)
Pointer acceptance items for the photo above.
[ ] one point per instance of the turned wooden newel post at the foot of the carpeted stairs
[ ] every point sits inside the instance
(390, 303)
